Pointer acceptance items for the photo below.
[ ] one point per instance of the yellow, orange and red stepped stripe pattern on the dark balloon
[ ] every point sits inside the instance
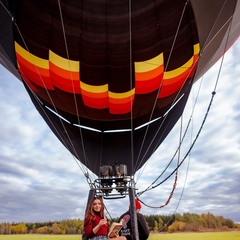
(58, 72)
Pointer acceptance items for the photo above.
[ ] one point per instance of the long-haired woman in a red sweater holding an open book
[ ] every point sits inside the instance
(95, 224)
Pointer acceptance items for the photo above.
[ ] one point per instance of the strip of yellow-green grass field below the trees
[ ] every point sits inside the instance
(235, 235)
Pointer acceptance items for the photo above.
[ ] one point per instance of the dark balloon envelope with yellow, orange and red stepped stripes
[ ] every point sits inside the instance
(111, 78)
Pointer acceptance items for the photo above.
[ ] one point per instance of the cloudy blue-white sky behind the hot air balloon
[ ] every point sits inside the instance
(41, 181)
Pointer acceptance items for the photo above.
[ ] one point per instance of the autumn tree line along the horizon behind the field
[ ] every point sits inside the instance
(157, 223)
